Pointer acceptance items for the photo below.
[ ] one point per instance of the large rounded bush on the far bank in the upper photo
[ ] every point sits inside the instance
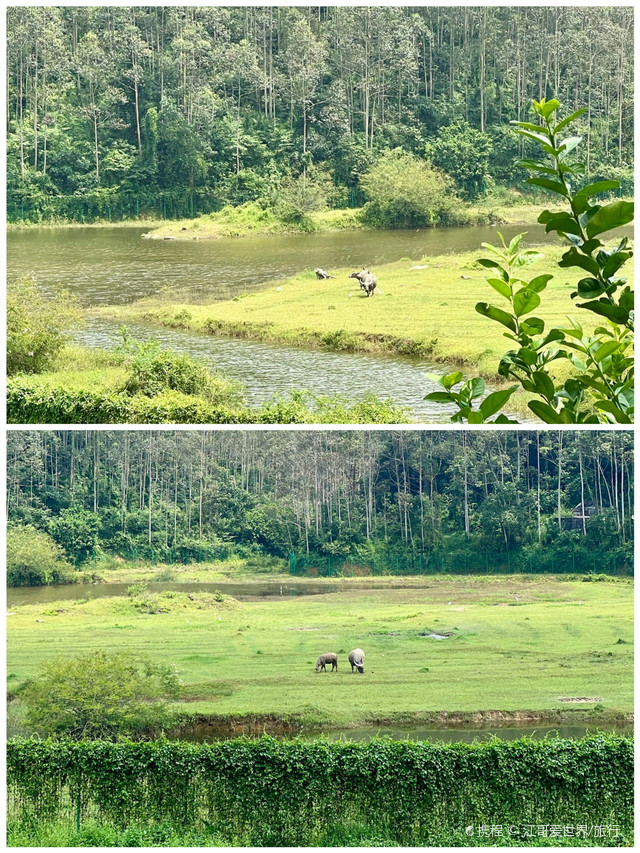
(406, 192)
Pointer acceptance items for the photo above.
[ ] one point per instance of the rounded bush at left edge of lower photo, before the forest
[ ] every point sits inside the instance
(33, 558)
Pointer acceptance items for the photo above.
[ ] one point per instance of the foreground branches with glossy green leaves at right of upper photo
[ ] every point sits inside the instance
(601, 383)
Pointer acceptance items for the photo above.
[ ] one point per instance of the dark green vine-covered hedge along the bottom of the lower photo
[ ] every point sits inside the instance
(411, 792)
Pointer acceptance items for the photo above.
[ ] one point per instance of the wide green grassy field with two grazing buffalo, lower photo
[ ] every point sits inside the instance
(559, 639)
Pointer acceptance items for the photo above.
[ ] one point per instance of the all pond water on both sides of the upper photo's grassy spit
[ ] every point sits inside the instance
(110, 265)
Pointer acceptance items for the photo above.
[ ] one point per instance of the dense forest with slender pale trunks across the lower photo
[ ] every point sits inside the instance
(341, 493)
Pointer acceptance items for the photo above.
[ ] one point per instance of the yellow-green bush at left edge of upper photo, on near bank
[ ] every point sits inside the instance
(36, 326)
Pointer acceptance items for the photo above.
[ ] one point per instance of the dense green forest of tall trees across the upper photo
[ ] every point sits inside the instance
(115, 112)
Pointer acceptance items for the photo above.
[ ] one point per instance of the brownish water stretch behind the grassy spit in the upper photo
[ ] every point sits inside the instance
(107, 266)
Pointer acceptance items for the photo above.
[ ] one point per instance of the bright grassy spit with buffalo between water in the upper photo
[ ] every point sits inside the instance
(428, 312)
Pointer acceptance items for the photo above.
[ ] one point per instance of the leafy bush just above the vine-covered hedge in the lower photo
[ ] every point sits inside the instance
(100, 695)
